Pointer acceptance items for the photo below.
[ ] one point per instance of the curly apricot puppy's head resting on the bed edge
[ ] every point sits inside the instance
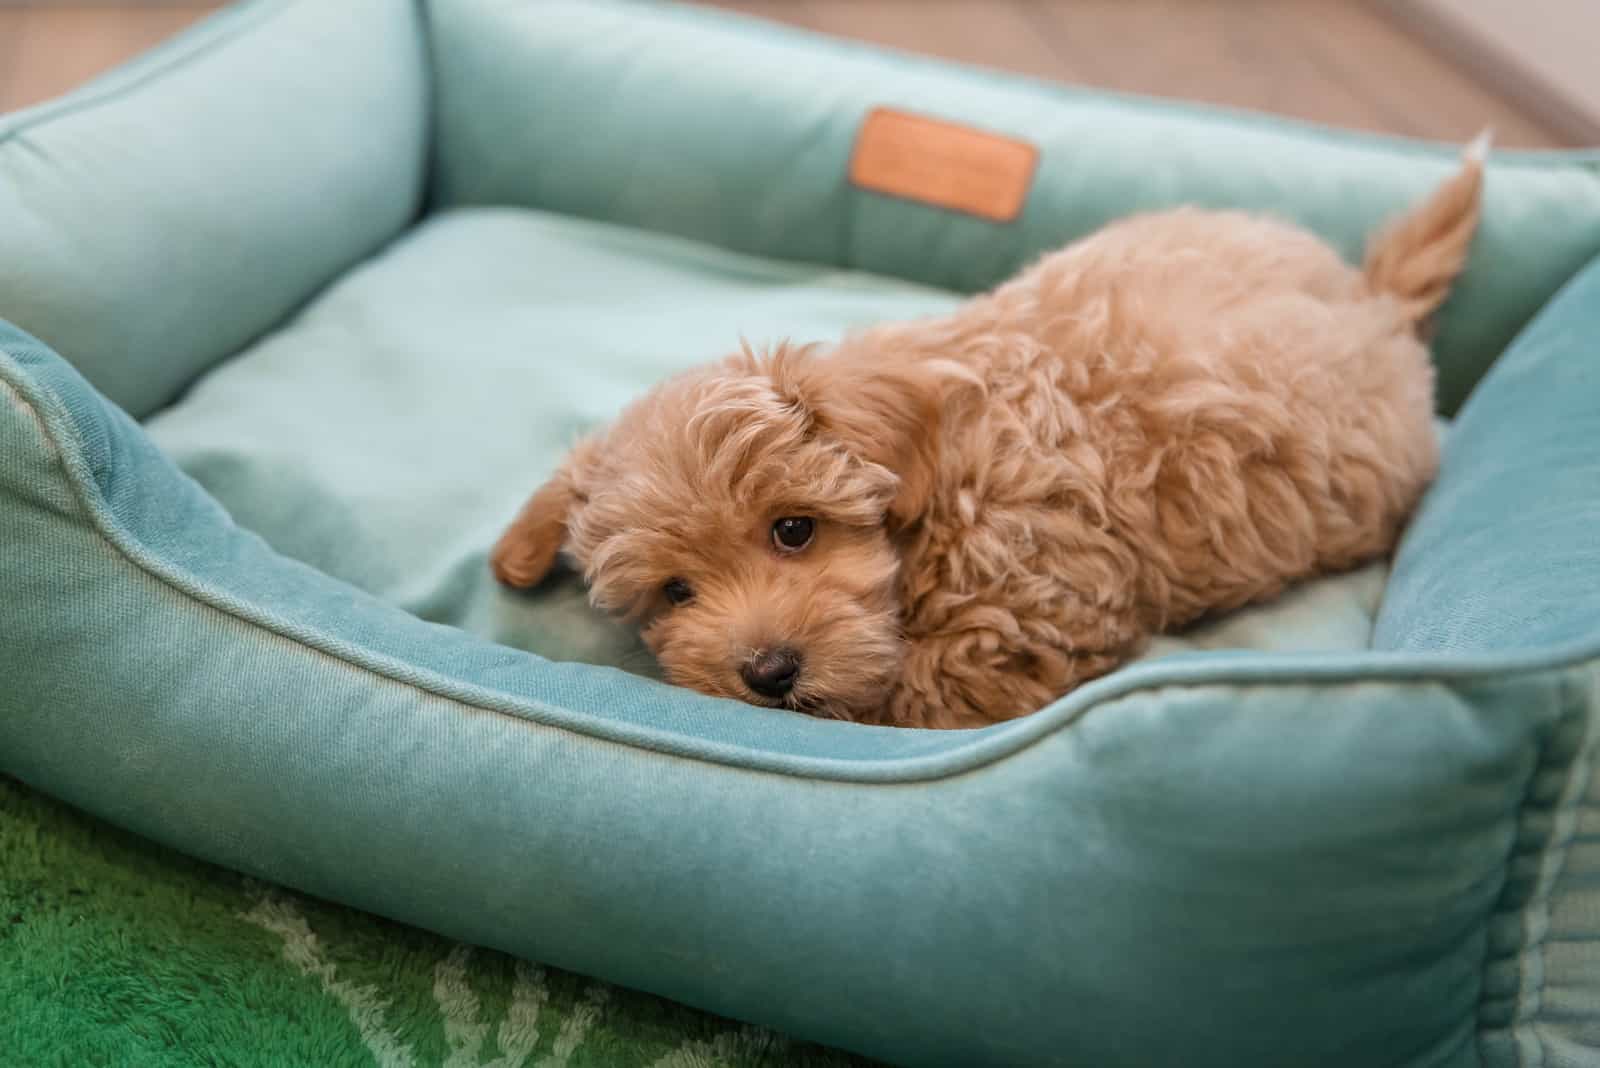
(746, 517)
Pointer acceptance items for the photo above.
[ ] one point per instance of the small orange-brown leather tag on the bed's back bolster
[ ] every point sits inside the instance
(943, 164)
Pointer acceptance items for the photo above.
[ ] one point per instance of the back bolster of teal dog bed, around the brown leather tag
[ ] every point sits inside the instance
(740, 133)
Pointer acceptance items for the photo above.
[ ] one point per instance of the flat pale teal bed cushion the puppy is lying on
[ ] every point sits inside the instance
(390, 431)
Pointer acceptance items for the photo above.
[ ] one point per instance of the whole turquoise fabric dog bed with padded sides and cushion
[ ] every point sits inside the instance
(306, 301)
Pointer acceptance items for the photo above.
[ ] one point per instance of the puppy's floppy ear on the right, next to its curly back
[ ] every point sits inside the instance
(882, 405)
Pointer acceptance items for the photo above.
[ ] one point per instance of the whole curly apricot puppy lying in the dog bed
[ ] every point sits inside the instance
(954, 522)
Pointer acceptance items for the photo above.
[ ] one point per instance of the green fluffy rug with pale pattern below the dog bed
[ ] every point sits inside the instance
(118, 952)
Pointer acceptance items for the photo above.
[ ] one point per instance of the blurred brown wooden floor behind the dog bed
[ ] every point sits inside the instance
(1334, 62)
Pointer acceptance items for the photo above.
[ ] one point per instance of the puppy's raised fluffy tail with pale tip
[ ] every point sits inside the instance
(1417, 257)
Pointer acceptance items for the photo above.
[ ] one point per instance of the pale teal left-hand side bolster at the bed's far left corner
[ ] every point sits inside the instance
(166, 215)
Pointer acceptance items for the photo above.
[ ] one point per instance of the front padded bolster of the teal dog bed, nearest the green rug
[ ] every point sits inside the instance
(1212, 863)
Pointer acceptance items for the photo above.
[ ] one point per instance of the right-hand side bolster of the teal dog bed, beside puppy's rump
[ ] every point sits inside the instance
(1505, 556)
